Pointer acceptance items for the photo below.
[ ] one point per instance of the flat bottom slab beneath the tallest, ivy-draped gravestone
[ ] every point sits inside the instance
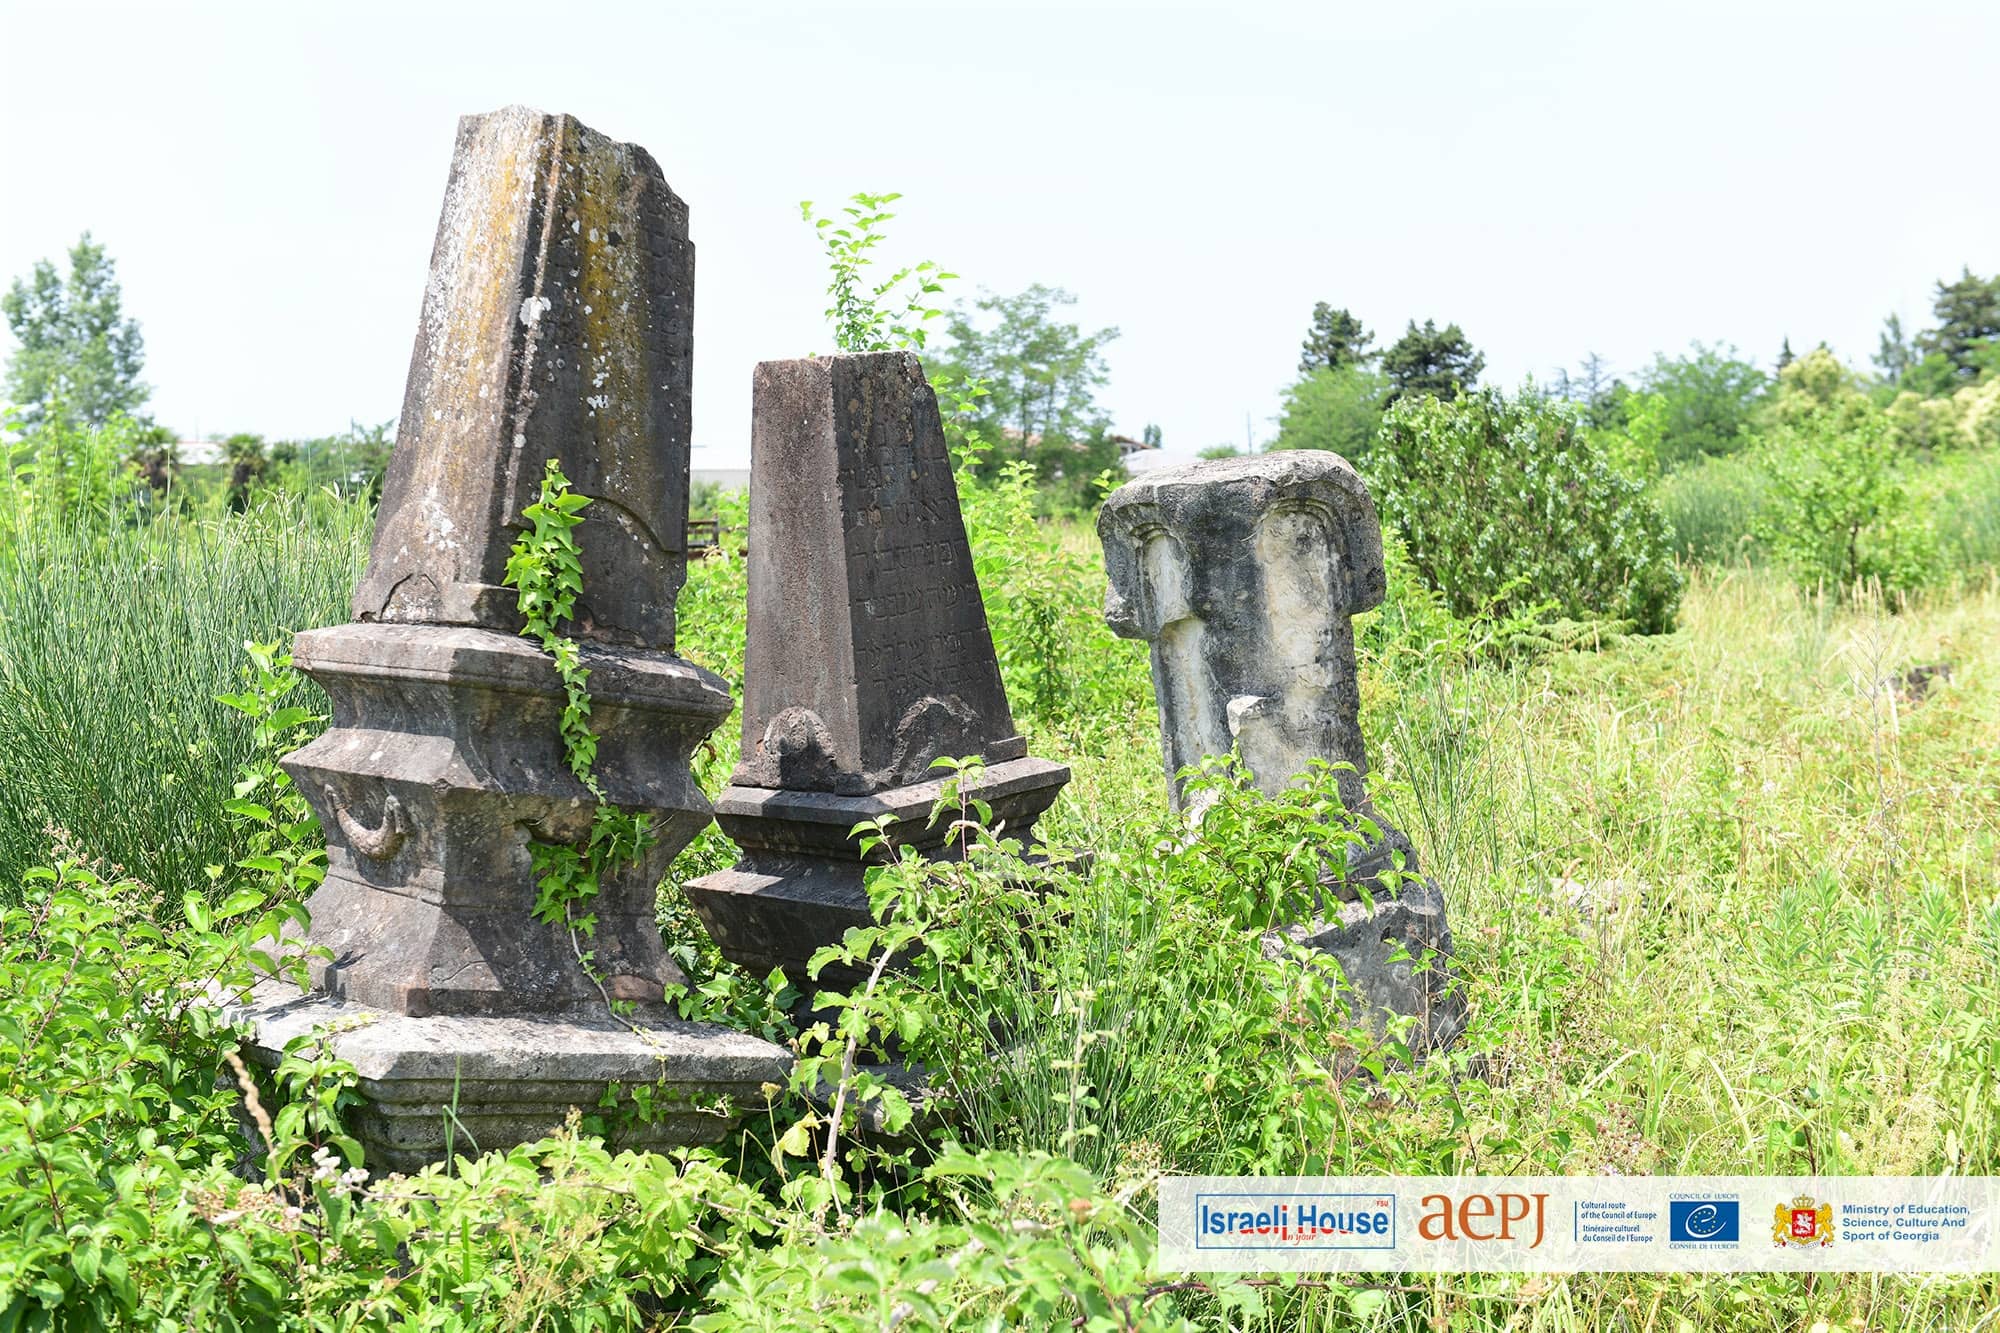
(487, 1084)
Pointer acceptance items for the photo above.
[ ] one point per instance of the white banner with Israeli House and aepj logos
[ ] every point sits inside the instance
(1611, 1224)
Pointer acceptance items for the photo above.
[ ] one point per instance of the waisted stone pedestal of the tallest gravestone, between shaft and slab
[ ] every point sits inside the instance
(443, 762)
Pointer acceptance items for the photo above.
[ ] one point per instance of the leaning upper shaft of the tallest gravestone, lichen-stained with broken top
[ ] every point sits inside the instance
(557, 325)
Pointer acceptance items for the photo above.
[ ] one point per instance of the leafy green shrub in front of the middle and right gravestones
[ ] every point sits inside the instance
(1129, 1018)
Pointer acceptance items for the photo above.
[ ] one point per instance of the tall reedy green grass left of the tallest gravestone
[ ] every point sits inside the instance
(115, 639)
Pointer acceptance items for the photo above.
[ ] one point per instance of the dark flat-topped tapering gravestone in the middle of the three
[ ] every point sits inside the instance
(869, 657)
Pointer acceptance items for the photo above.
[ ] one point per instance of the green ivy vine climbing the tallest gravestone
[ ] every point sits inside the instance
(549, 575)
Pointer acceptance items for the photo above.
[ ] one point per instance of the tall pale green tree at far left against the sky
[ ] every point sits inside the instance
(79, 357)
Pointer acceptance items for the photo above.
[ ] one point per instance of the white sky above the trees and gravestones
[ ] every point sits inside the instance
(1555, 177)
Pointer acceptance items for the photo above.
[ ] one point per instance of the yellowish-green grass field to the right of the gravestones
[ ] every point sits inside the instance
(1805, 970)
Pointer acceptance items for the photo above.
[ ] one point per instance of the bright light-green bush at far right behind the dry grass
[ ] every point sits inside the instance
(1839, 507)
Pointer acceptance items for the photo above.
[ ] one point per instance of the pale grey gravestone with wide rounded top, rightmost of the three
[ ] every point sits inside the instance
(1243, 575)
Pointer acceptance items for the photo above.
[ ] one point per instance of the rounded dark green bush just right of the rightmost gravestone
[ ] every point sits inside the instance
(1505, 505)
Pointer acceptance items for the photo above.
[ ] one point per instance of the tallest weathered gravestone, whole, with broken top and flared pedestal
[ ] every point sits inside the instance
(555, 327)
